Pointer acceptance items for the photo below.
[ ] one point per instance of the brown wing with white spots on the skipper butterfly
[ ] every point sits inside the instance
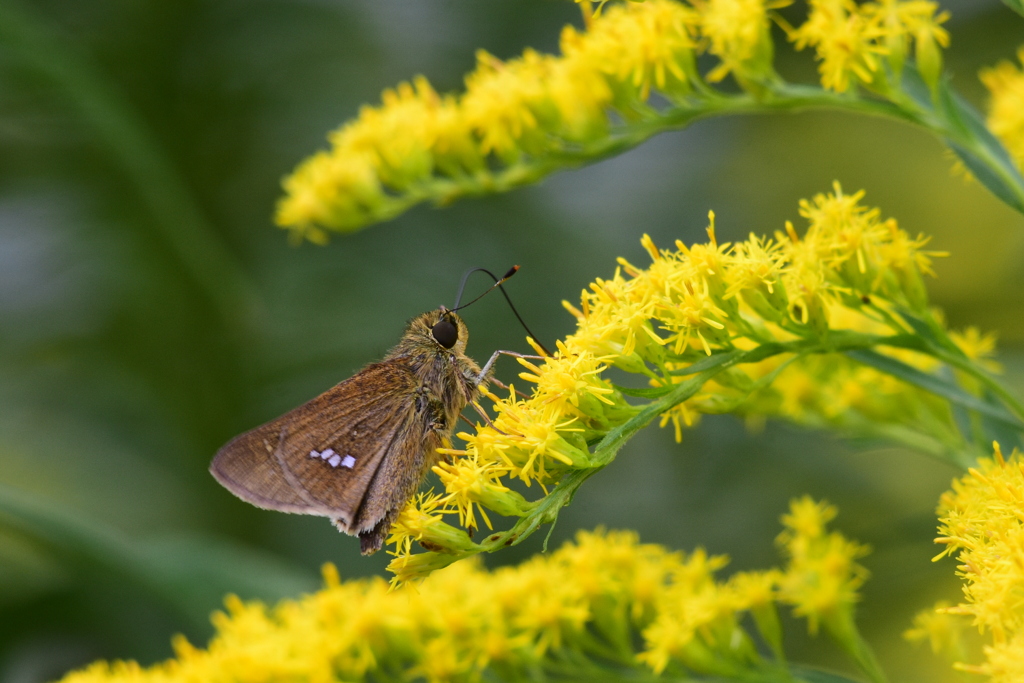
(323, 457)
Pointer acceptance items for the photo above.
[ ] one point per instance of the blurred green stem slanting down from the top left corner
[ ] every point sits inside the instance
(101, 104)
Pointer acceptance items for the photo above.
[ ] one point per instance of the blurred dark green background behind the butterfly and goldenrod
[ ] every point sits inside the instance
(150, 311)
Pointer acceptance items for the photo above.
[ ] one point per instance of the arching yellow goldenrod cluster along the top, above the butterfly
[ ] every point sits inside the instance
(631, 73)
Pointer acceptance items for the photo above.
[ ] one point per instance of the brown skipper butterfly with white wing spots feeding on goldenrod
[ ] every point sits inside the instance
(359, 452)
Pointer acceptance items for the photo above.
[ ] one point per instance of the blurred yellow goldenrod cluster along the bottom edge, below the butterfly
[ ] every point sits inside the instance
(604, 606)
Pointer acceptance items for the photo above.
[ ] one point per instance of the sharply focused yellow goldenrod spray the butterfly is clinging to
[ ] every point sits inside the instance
(782, 309)
